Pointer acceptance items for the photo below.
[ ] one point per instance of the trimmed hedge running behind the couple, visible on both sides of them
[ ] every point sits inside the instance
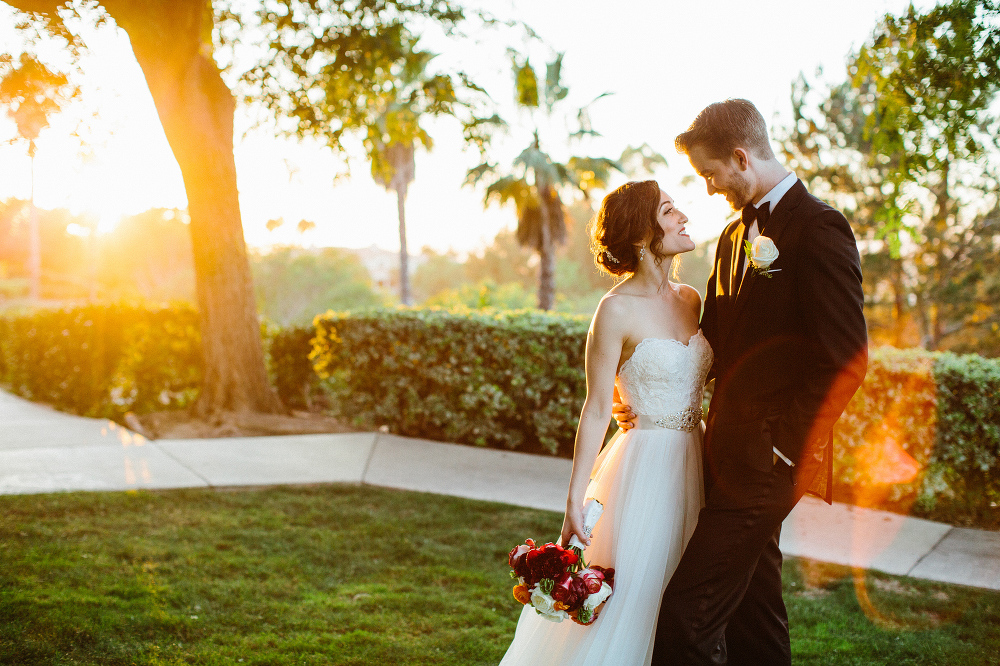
(922, 435)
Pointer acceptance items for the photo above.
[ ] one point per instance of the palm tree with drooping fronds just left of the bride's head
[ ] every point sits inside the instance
(534, 181)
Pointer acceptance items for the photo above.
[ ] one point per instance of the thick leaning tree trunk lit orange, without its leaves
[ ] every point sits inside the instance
(196, 110)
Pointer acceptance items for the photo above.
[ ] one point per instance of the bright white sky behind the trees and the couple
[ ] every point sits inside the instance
(663, 62)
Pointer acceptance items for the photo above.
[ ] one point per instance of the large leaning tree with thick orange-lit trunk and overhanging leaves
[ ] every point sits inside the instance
(173, 43)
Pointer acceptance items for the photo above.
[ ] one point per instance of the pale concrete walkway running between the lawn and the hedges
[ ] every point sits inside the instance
(42, 450)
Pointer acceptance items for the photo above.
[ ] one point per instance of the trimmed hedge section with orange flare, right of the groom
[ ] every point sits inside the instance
(922, 436)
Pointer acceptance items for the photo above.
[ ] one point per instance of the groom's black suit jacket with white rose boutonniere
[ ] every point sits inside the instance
(790, 350)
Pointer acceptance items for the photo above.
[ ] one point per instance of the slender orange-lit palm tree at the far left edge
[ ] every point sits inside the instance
(32, 94)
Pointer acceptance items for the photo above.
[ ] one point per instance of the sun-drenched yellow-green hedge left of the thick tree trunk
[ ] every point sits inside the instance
(103, 360)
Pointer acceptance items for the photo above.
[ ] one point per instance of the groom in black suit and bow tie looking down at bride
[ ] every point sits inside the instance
(790, 346)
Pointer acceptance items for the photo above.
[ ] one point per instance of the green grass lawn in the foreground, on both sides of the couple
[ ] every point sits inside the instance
(358, 575)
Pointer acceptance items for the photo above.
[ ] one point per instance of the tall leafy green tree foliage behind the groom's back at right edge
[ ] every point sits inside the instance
(908, 145)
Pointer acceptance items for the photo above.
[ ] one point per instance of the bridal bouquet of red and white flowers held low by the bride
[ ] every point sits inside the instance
(556, 581)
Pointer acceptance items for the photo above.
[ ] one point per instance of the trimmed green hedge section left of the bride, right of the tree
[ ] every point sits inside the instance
(512, 379)
